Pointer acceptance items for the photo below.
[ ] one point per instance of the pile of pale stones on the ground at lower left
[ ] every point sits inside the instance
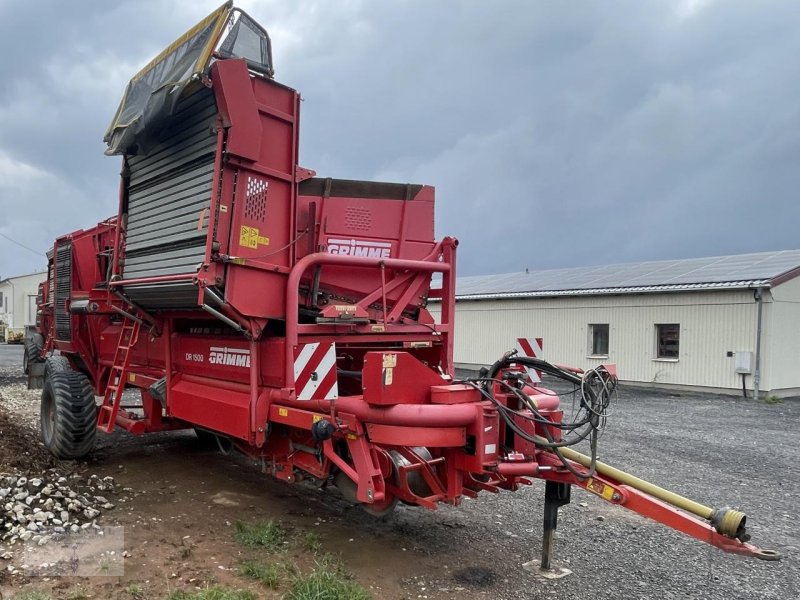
(35, 510)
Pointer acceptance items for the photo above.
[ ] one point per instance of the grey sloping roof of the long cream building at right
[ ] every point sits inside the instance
(694, 274)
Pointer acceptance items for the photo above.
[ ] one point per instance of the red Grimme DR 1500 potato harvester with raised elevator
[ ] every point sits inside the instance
(285, 314)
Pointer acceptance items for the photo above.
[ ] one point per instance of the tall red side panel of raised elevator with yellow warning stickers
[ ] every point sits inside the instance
(262, 156)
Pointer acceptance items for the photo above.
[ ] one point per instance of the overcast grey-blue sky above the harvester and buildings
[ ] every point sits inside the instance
(557, 134)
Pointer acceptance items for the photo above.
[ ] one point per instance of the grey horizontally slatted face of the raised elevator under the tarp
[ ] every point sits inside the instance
(169, 197)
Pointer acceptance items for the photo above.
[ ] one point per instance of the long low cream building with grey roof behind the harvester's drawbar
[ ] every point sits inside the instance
(700, 324)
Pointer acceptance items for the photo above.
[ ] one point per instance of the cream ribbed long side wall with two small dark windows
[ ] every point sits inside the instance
(712, 323)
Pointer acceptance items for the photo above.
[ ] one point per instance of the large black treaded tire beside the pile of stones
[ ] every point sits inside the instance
(68, 418)
